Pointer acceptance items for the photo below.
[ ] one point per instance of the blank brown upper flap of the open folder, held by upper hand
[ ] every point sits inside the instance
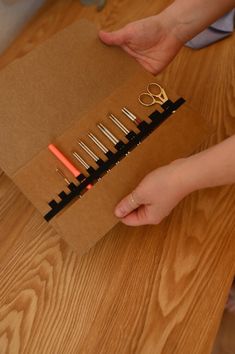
(43, 93)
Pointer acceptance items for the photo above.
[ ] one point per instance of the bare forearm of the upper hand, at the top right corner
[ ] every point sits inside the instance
(189, 17)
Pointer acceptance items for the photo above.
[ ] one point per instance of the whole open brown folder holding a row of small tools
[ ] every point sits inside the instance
(57, 94)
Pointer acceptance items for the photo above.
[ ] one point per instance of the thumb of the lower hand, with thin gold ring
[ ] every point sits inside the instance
(128, 204)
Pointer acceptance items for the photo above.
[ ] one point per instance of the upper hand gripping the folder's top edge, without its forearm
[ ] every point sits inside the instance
(151, 41)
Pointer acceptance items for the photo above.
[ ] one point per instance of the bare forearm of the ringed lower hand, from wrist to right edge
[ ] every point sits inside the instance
(210, 168)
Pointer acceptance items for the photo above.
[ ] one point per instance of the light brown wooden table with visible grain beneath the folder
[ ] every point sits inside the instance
(145, 290)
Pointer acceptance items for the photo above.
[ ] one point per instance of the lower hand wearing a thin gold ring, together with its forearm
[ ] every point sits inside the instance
(162, 189)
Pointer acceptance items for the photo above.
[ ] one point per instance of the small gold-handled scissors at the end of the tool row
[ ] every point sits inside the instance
(155, 95)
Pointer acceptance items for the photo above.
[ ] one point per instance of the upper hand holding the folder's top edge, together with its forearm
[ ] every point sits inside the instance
(155, 41)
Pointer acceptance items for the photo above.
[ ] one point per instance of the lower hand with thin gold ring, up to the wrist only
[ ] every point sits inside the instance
(155, 197)
